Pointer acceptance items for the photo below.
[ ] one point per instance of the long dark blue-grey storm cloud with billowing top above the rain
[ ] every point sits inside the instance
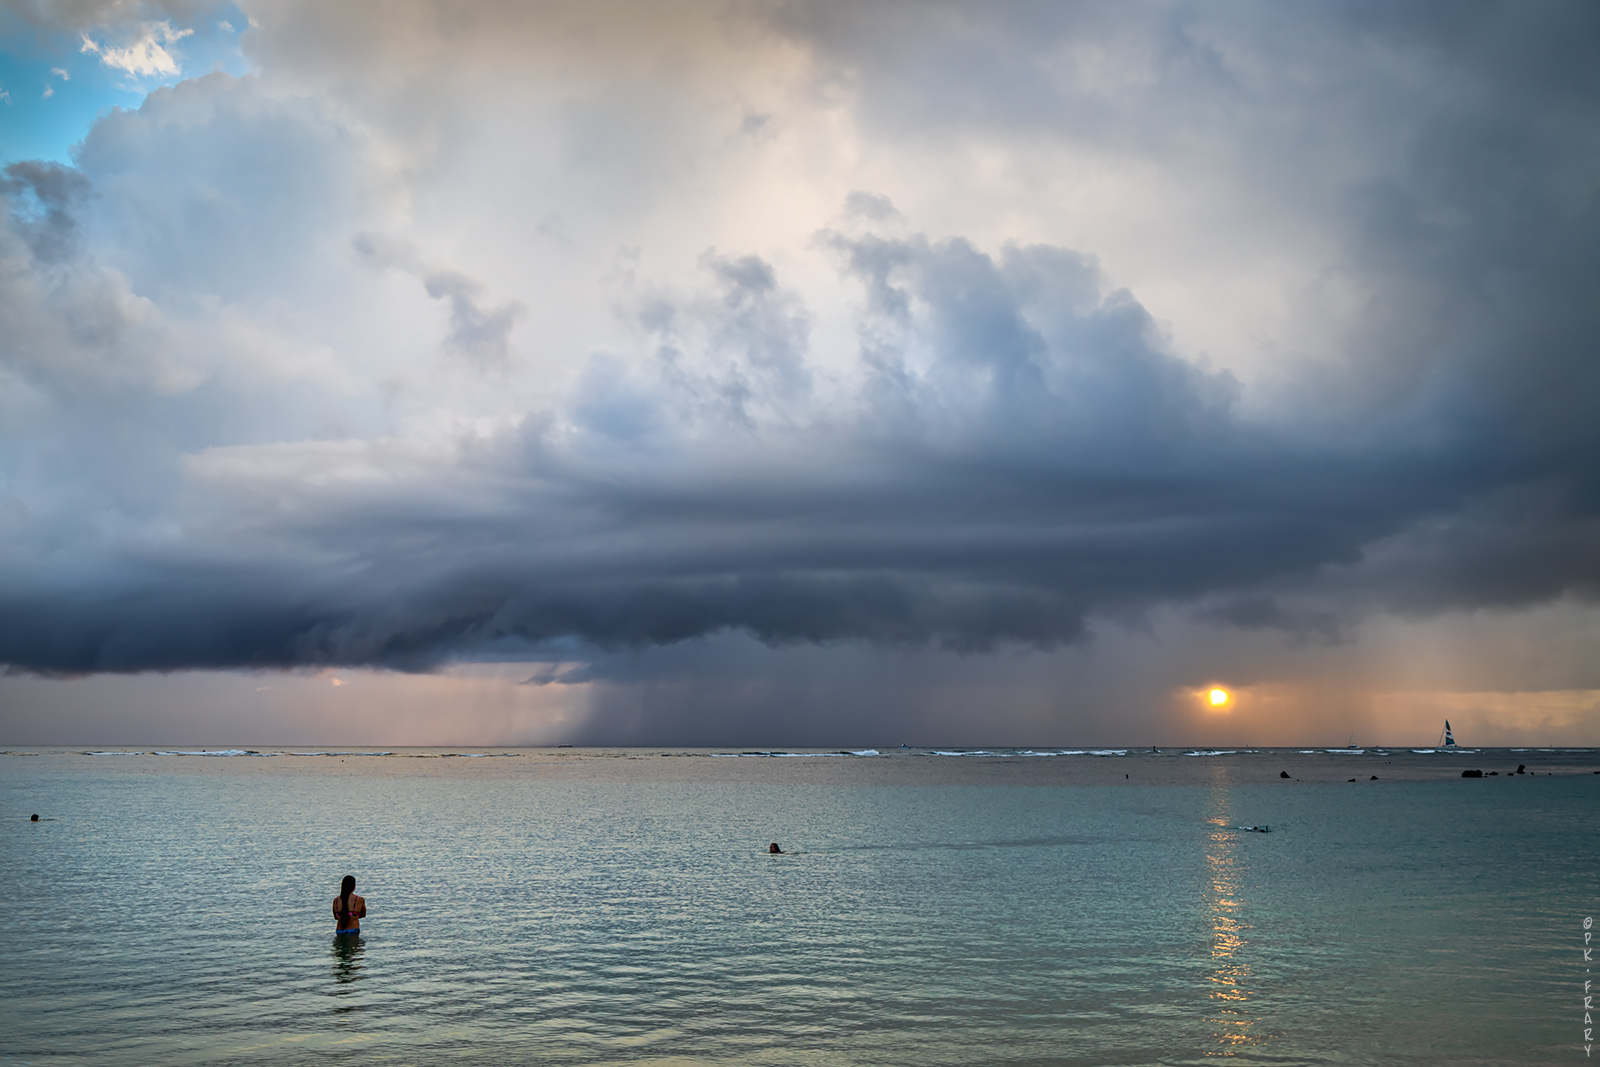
(1042, 463)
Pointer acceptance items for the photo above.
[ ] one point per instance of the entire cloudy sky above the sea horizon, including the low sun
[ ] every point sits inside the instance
(762, 374)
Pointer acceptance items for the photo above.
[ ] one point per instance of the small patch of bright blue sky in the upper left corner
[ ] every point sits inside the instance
(55, 86)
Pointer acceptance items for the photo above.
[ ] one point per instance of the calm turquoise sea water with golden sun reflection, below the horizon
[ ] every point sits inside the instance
(177, 909)
